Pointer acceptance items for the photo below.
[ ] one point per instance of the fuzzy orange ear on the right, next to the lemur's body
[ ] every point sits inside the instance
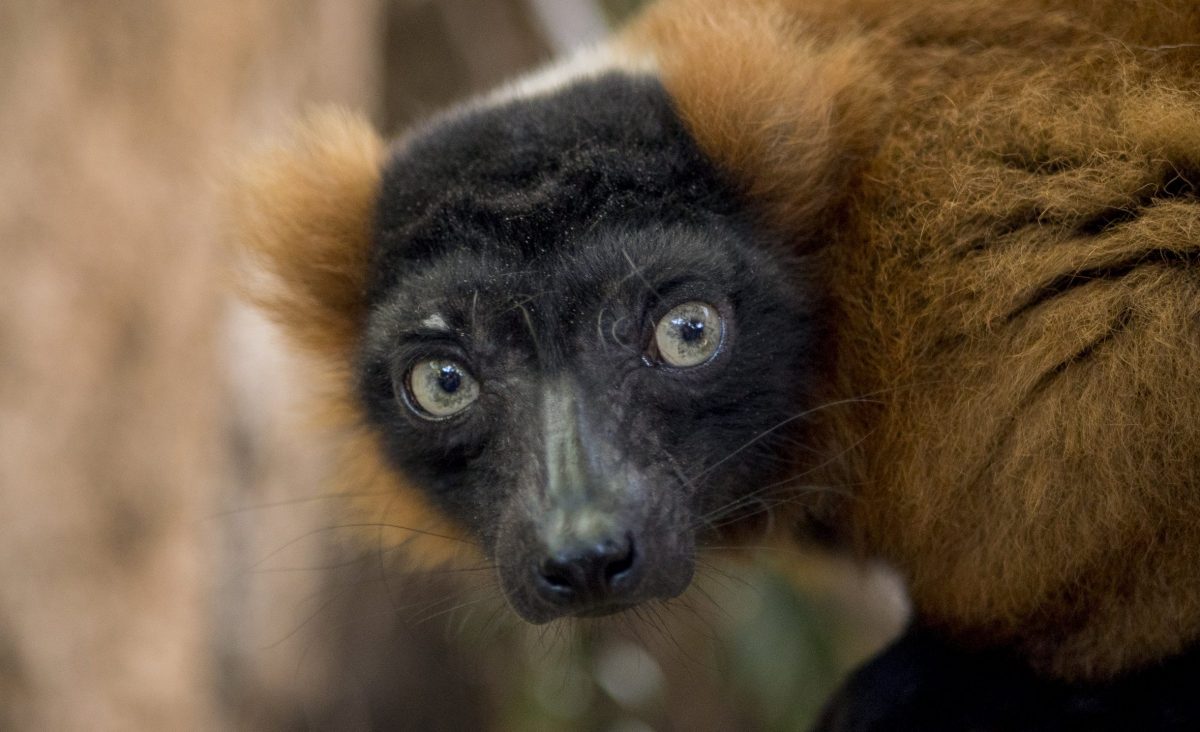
(789, 113)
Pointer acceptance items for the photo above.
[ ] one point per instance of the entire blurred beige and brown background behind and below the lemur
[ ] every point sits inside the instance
(171, 556)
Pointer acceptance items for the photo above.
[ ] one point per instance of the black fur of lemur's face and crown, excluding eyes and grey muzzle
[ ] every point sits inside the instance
(550, 235)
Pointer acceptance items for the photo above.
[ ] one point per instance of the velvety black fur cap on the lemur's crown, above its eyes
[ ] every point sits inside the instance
(535, 176)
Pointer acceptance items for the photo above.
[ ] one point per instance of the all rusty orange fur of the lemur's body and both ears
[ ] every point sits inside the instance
(1005, 200)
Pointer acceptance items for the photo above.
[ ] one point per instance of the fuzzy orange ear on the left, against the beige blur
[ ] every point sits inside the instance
(302, 213)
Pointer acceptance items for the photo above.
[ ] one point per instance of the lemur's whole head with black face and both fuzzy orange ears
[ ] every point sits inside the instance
(567, 320)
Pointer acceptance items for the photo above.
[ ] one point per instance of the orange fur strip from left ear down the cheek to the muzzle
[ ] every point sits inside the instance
(302, 212)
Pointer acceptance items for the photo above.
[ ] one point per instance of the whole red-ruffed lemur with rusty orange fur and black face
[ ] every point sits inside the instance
(943, 256)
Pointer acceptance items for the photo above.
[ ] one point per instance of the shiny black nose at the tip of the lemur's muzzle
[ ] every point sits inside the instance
(590, 578)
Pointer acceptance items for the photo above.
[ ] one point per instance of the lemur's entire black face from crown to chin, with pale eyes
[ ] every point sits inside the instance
(579, 344)
